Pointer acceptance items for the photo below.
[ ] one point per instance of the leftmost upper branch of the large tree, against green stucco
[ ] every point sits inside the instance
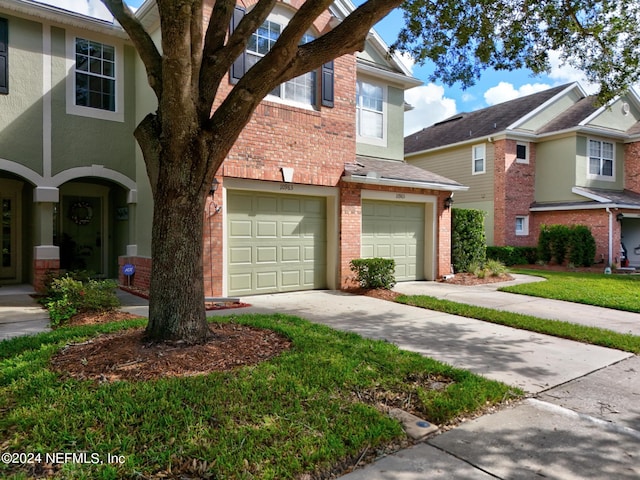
(141, 40)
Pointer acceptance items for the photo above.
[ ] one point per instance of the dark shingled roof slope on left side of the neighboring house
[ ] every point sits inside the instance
(480, 123)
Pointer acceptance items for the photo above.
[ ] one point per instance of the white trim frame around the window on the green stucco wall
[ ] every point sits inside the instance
(72, 108)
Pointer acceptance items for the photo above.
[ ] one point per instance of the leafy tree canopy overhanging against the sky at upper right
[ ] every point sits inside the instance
(462, 38)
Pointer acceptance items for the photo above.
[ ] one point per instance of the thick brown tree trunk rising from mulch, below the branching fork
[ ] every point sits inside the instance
(176, 296)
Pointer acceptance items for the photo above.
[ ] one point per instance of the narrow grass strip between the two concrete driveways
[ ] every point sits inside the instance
(580, 333)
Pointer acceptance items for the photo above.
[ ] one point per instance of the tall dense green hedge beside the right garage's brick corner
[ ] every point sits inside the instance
(468, 241)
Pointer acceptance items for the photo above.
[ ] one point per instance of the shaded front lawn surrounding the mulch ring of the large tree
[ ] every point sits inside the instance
(303, 411)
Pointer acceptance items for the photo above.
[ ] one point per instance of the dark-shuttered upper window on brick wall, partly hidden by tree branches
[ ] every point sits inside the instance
(300, 90)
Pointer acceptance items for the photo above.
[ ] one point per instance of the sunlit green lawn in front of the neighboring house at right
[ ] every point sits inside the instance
(620, 292)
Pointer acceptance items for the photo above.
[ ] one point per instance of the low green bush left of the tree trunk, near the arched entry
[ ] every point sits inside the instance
(68, 296)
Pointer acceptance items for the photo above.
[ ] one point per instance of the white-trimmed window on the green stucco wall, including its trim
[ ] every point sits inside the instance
(95, 86)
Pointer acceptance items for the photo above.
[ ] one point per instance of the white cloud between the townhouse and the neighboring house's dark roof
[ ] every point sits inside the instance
(430, 106)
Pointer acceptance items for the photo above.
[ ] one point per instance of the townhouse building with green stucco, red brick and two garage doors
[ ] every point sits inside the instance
(316, 179)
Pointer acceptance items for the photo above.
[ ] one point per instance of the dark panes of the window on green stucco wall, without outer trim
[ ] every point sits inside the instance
(95, 75)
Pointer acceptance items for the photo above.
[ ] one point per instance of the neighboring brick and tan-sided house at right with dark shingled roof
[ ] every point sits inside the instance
(554, 157)
